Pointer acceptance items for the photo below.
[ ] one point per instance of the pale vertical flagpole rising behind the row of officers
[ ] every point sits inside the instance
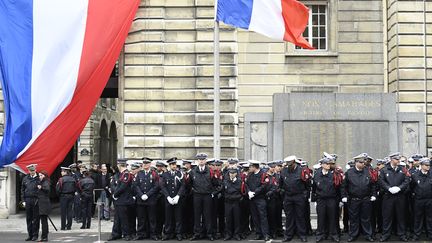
(216, 91)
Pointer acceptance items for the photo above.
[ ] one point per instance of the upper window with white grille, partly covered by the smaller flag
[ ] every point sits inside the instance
(316, 30)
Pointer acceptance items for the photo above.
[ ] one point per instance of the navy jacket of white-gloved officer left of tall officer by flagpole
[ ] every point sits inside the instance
(172, 184)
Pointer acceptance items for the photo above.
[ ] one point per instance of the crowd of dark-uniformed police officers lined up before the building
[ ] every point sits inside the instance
(210, 199)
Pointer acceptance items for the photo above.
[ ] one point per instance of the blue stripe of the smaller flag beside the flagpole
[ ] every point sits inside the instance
(235, 12)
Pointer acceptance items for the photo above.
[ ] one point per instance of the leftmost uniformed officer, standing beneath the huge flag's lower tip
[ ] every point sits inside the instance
(29, 196)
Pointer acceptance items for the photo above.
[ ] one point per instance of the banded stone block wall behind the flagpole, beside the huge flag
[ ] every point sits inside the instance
(167, 98)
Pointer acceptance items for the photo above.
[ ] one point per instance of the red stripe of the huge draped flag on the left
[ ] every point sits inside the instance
(108, 24)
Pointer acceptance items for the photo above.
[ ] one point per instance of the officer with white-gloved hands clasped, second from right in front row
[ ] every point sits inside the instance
(394, 180)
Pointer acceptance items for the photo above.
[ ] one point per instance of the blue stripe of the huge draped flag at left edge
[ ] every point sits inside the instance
(16, 51)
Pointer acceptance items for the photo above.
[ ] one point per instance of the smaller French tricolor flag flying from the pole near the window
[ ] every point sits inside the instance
(278, 19)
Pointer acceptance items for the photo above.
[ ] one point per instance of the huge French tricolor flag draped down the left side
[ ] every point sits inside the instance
(55, 59)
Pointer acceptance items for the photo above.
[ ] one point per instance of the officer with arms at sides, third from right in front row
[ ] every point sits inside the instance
(358, 191)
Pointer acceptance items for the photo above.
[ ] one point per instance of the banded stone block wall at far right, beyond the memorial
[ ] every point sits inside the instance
(409, 62)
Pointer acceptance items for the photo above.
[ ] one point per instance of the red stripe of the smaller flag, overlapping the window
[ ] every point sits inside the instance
(295, 16)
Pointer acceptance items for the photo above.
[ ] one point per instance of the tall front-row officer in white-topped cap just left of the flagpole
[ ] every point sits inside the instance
(203, 187)
